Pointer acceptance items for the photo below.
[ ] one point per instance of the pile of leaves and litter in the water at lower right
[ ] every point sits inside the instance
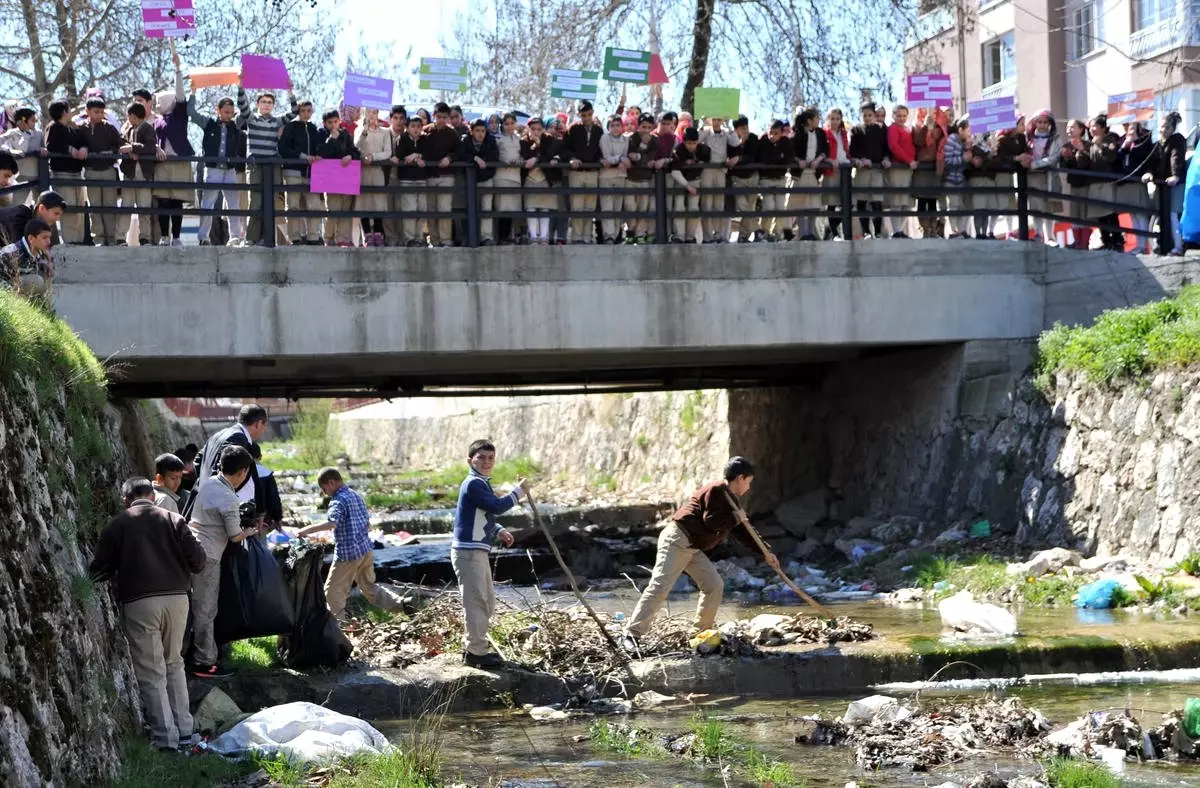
(887, 733)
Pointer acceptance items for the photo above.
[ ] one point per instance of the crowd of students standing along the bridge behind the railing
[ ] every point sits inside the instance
(785, 183)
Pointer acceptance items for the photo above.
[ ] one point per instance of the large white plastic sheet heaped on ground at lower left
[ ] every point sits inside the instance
(303, 732)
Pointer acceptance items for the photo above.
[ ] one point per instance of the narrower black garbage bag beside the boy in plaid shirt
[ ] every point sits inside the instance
(316, 641)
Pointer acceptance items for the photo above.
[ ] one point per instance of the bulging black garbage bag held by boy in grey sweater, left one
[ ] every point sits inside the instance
(254, 599)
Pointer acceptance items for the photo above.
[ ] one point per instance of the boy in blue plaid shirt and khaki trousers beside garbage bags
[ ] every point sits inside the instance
(353, 556)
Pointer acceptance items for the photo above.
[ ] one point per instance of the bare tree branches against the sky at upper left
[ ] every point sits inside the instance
(61, 47)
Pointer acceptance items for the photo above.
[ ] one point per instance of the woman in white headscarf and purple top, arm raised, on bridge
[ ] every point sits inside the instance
(171, 128)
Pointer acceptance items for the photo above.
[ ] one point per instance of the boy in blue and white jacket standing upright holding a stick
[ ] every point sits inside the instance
(475, 531)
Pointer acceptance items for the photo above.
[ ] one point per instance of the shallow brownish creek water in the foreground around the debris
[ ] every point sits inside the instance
(508, 749)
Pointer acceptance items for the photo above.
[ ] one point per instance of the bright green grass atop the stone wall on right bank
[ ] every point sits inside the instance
(1126, 345)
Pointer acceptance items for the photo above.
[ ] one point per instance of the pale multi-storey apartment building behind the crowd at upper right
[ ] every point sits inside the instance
(1067, 56)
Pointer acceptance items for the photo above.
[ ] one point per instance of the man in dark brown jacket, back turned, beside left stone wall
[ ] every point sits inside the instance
(153, 555)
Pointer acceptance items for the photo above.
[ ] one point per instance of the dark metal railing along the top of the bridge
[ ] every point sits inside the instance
(841, 200)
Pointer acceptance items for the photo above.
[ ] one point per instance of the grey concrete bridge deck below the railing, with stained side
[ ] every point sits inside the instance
(310, 321)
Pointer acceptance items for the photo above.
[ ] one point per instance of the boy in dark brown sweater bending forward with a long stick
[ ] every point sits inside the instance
(699, 526)
